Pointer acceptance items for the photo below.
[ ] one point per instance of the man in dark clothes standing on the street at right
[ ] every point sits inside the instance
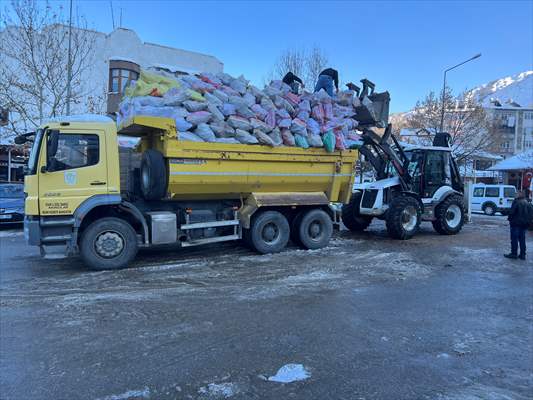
(519, 218)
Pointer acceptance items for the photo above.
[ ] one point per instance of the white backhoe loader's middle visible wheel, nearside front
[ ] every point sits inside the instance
(403, 217)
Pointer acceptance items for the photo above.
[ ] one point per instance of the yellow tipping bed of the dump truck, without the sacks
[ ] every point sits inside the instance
(215, 170)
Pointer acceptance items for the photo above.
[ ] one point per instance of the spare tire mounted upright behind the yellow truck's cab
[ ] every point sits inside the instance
(154, 177)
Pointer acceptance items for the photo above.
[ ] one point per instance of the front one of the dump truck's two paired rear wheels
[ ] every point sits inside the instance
(269, 232)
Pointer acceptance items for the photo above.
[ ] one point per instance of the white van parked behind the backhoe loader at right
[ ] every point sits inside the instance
(492, 198)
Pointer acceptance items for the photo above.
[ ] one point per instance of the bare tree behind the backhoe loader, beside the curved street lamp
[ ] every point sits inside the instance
(464, 119)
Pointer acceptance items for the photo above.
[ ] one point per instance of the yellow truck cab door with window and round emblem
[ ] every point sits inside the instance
(73, 169)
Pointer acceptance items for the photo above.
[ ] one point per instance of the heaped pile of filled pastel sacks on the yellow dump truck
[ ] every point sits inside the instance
(220, 108)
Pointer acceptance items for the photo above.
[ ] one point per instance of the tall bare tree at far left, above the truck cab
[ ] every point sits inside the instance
(33, 66)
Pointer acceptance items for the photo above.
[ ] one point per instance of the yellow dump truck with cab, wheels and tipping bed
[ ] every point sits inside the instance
(86, 194)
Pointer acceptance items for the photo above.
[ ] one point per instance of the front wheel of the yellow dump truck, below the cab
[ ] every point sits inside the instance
(108, 243)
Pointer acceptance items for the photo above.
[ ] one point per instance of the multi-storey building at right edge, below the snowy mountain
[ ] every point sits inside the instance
(512, 127)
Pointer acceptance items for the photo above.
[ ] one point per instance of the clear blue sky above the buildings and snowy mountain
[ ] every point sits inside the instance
(402, 46)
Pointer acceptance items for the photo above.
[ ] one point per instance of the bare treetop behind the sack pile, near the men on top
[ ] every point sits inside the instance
(305, 64)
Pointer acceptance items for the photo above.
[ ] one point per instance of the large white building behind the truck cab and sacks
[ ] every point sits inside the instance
(114, 60)
